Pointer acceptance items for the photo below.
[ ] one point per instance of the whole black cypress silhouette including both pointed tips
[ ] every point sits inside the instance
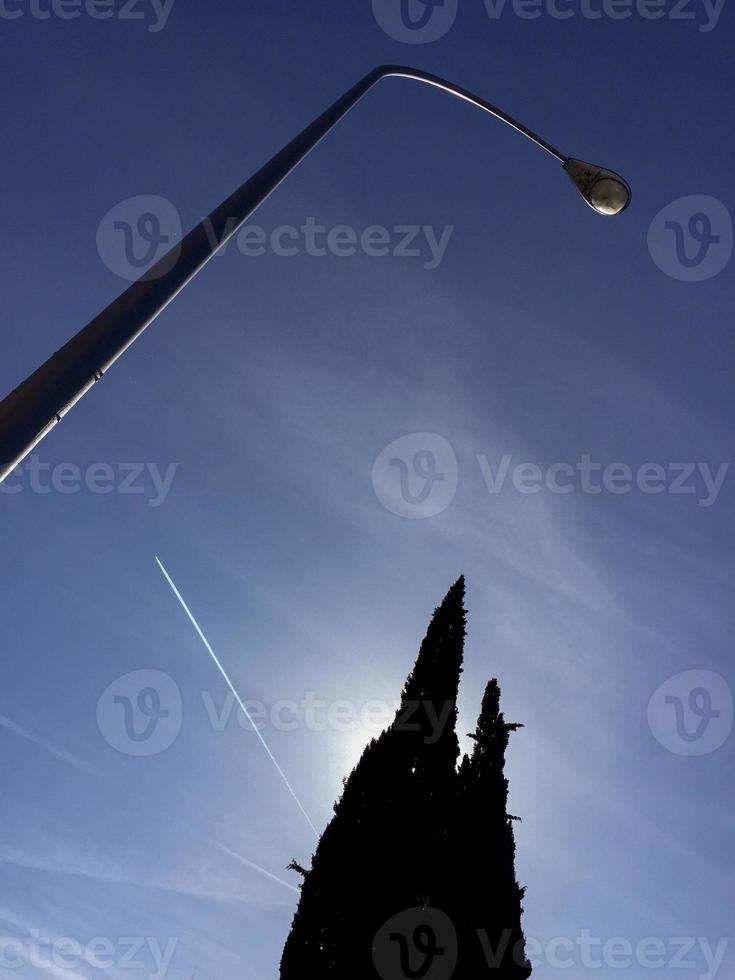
(412, 831)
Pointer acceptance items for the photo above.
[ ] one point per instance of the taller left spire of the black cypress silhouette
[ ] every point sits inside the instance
(388, 845)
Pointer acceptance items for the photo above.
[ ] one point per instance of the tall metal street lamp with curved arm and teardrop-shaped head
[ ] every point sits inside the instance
(42, 400)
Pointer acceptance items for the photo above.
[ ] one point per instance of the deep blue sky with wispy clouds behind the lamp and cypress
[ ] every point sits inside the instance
(544, 335)
